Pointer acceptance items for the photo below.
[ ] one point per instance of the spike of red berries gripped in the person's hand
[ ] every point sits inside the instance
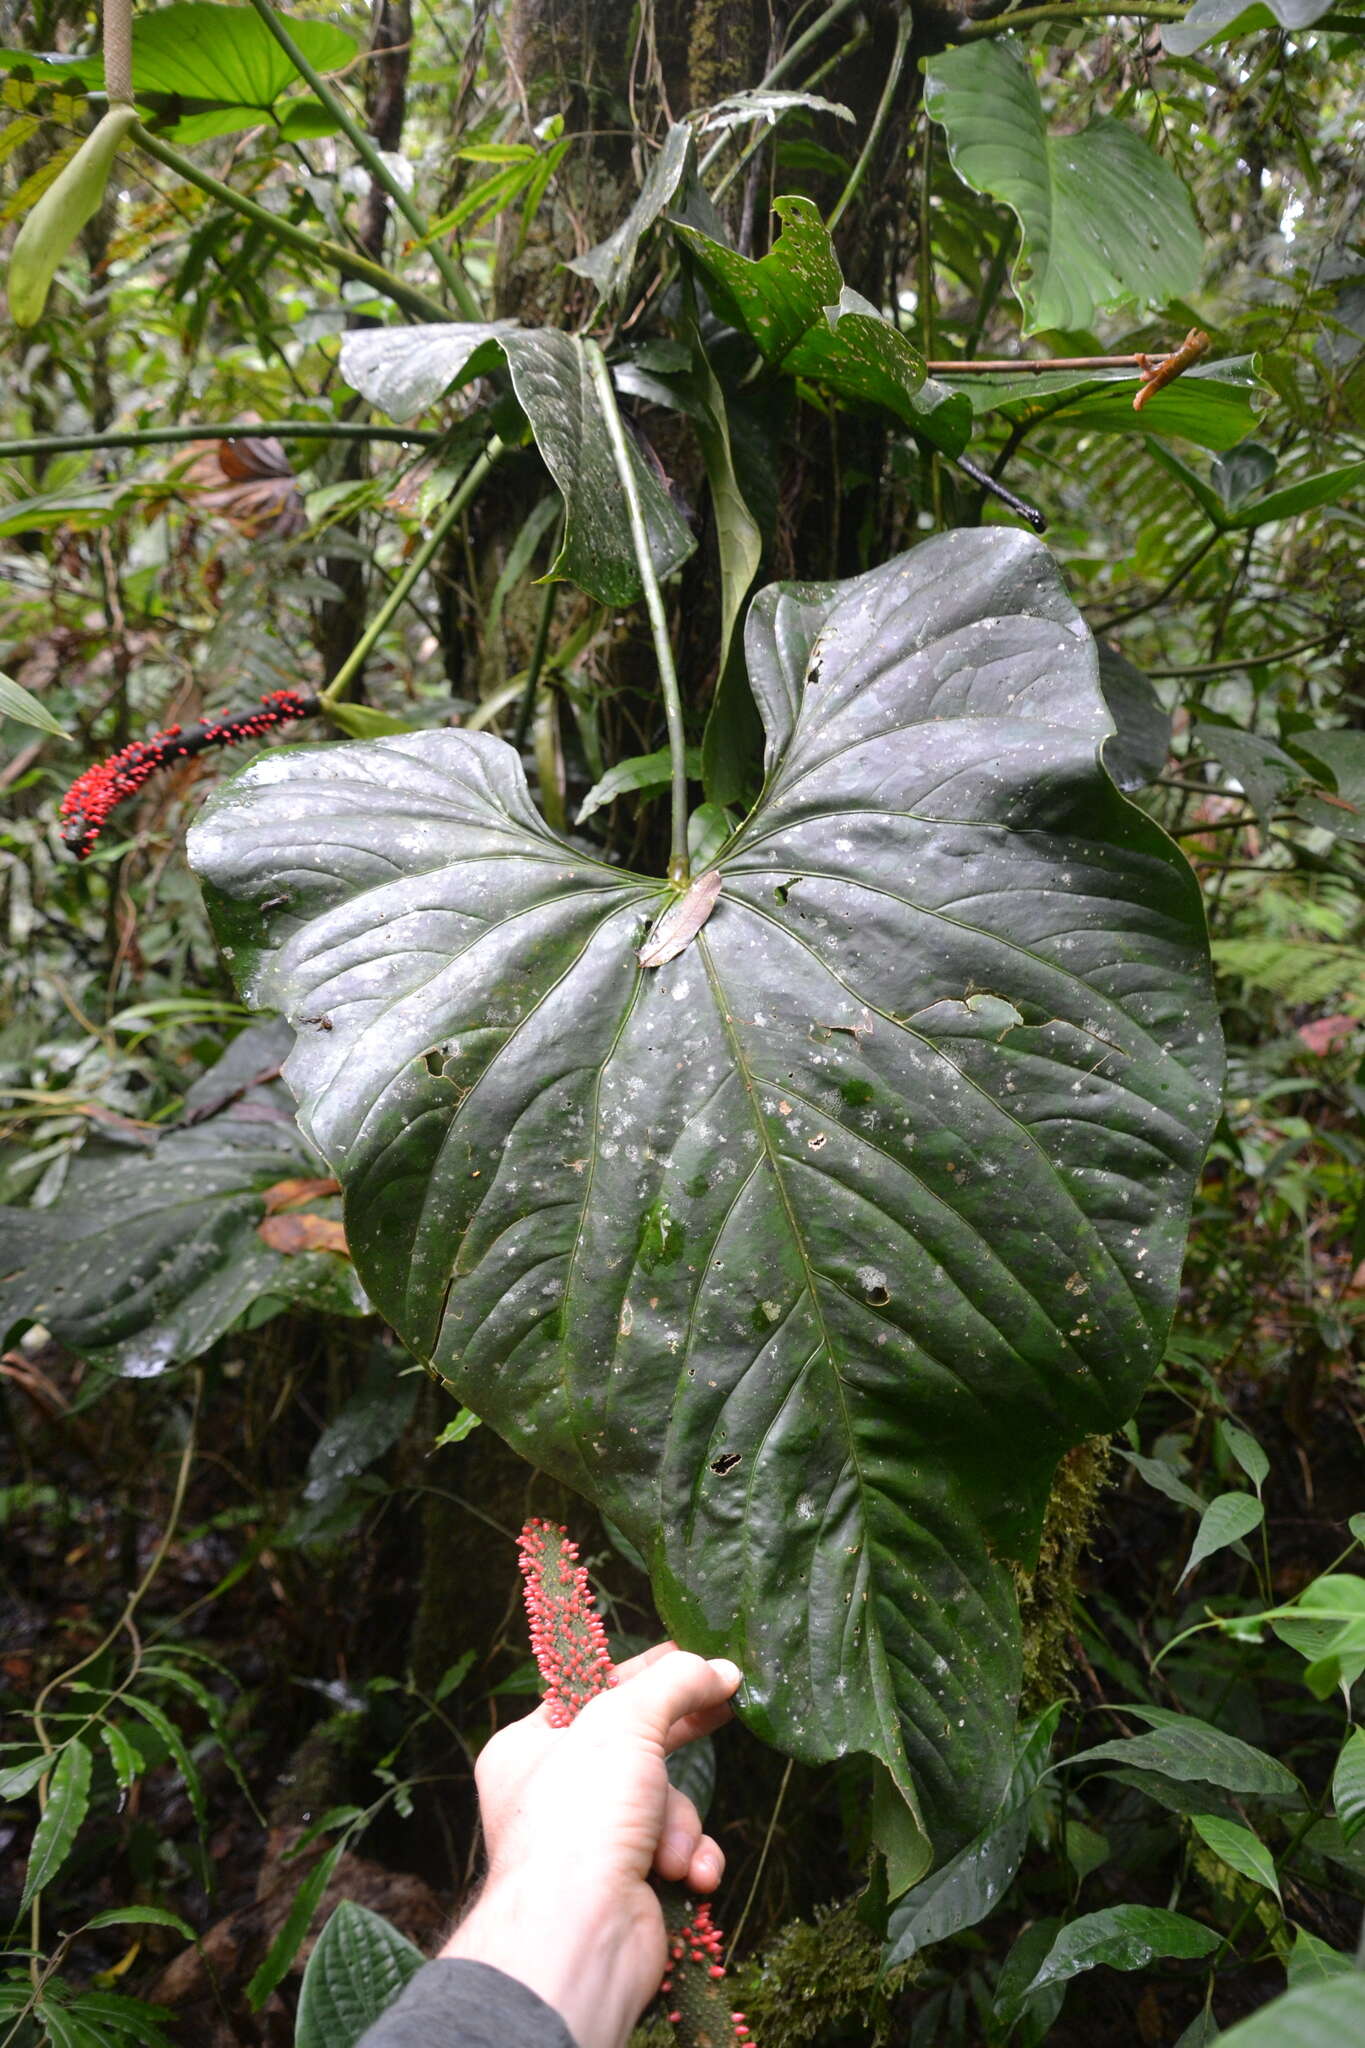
(570, 1646)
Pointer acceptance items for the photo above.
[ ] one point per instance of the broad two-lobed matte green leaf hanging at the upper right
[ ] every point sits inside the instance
(1106, 222)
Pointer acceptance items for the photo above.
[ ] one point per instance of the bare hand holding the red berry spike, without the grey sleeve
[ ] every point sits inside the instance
(576, 1820)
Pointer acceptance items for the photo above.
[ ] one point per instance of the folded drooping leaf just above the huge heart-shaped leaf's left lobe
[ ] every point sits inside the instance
(406, 370)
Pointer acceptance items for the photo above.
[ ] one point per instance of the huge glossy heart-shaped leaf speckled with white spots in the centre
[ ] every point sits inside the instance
(809, 1252)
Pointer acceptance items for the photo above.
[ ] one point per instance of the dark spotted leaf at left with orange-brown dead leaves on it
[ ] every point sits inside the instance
(148, 1258)
